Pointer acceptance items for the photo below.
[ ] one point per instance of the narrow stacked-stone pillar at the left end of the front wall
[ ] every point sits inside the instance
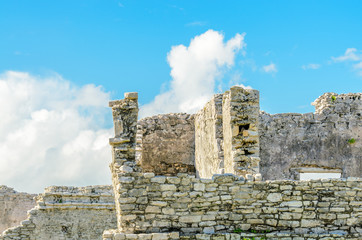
(125, 113)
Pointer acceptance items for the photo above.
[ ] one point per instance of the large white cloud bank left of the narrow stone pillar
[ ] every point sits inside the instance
(52, 133)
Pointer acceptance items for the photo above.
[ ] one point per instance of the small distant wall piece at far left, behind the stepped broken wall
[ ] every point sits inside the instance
(14, 207)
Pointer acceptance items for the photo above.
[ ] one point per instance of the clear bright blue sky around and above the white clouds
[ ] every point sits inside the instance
(122, 45)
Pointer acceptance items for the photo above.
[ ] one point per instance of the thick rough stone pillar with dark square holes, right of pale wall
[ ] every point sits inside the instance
(240, 130)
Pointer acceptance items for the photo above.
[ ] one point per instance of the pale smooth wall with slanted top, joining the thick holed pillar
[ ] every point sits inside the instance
(209, 154)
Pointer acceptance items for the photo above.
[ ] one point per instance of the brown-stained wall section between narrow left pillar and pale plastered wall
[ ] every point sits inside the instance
(166, 144)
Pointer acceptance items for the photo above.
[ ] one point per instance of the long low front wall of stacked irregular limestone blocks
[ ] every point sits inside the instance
(226, 203)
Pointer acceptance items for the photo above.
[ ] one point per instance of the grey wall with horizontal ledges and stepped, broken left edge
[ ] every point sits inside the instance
(68, 213)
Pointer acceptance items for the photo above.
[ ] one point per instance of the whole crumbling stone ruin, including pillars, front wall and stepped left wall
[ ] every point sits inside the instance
(230, 171)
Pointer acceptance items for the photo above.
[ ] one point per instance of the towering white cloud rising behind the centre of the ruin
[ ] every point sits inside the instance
(194, 71)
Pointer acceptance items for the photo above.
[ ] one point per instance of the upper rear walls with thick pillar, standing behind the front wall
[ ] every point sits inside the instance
(168, 144)
